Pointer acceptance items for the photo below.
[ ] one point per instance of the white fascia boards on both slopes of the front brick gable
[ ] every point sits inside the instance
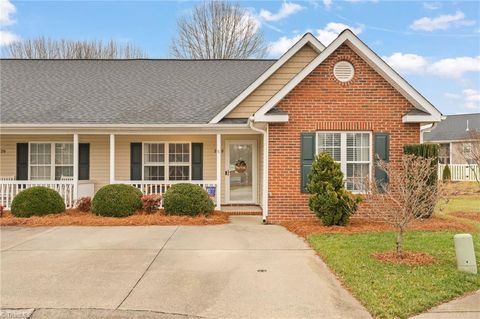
(373, 60)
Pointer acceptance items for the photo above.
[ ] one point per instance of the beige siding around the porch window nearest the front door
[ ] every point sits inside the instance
(122, 152)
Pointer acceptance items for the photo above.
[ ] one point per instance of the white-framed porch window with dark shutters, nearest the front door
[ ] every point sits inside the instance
(159, 158)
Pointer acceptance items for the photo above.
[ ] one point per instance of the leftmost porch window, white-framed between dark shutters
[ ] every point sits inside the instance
(51, 161)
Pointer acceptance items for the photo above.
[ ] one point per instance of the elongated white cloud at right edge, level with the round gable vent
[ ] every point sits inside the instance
(455, 67)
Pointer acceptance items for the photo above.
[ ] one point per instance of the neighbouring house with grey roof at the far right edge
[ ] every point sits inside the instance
(454, 135)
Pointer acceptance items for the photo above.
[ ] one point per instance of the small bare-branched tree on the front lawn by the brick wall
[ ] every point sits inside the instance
(409, 194)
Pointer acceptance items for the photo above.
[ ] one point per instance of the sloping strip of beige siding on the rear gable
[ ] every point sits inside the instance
(274, 83)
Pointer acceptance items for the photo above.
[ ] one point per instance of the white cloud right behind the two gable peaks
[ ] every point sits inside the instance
(325, 35)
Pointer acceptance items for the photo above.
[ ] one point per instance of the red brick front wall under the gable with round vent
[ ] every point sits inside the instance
(320, 102)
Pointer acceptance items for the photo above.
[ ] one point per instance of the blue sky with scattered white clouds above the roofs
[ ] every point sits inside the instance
(434, 45)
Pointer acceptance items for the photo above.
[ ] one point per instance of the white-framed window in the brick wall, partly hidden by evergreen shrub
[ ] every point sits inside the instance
(353, 151)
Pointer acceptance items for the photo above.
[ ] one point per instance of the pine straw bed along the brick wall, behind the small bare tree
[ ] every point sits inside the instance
(358, 225)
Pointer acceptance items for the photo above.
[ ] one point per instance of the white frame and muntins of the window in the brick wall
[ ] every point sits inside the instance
(343, 152)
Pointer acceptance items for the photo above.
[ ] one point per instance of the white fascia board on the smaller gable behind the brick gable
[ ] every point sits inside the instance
(307, 38)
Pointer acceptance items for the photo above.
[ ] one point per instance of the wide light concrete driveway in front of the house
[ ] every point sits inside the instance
(240, 270)
